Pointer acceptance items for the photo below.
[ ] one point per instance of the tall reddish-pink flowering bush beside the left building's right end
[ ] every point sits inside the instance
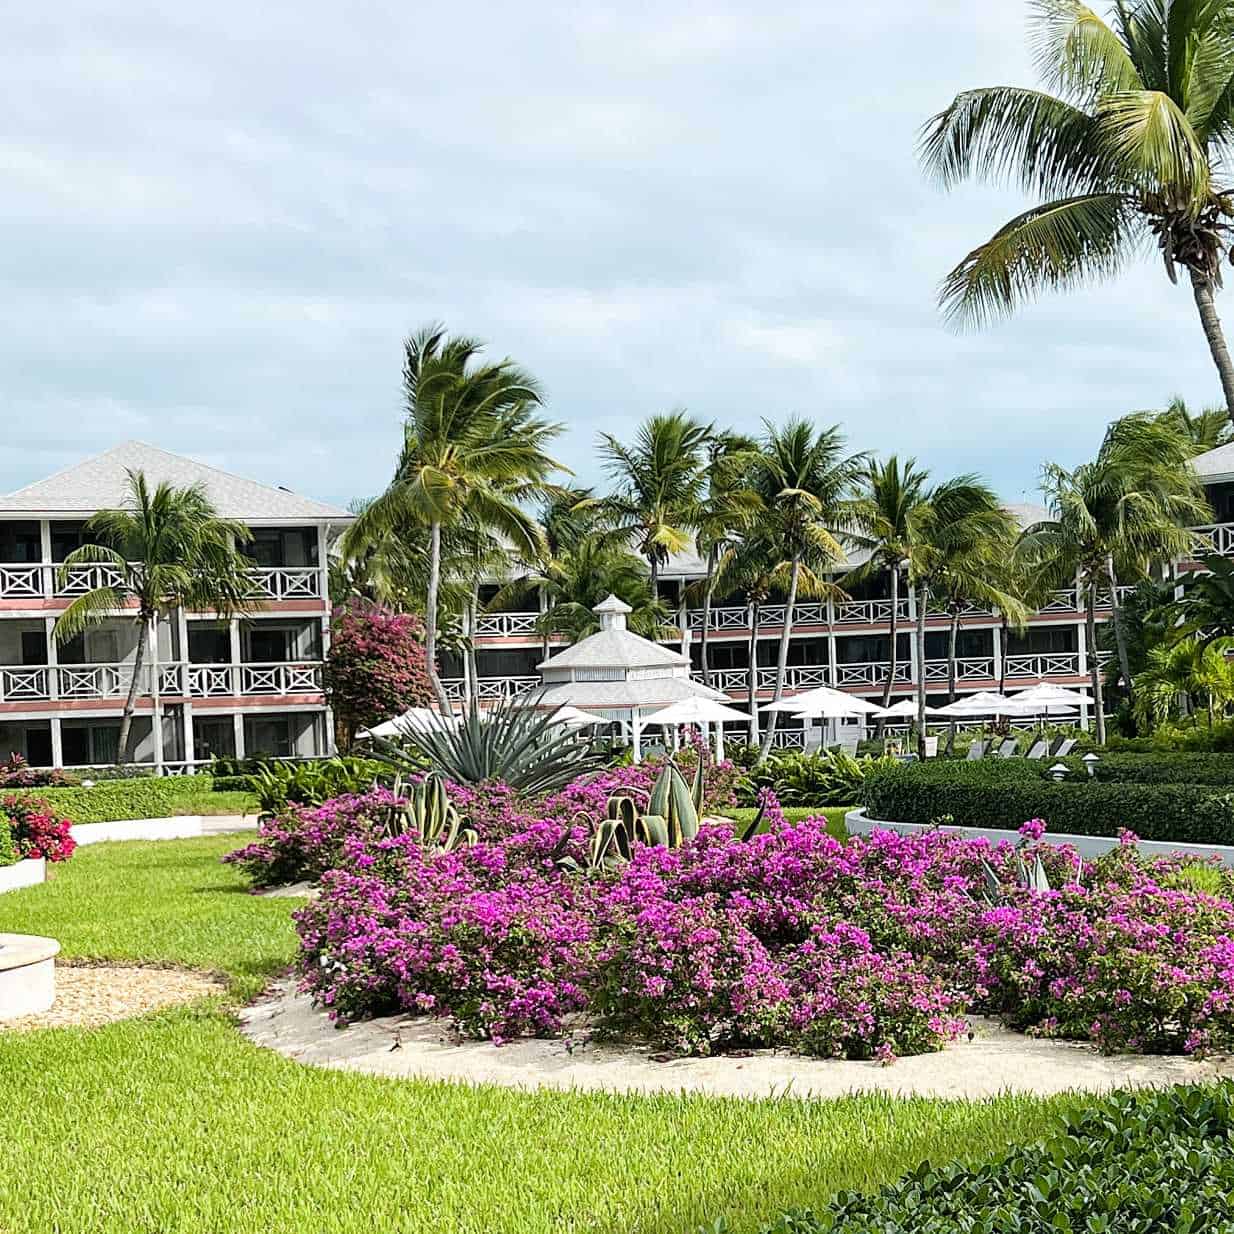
(376, 667)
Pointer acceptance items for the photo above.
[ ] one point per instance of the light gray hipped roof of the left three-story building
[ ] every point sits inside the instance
(101, 483)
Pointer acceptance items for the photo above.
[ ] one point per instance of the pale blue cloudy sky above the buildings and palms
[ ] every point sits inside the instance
(220, 223)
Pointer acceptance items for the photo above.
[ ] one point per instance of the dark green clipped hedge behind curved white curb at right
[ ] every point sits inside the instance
(1008, 794)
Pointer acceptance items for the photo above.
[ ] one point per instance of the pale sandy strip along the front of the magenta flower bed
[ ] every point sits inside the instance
(995, 1062)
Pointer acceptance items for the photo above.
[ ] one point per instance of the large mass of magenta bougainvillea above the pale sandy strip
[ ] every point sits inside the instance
(876, 948)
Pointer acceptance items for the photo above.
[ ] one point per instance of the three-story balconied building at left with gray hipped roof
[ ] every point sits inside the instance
(209, 688)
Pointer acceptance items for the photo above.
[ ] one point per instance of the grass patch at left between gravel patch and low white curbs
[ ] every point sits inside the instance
(161, 903)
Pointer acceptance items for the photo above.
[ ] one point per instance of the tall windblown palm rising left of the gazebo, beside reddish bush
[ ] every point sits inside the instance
(473, 451)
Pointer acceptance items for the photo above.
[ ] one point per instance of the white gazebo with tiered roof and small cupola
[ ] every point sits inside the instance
(619, 676)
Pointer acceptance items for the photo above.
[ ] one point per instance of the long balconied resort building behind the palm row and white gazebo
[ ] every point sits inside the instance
(847, 645)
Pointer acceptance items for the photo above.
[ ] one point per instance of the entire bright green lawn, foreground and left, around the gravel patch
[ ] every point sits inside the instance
(175, 1124)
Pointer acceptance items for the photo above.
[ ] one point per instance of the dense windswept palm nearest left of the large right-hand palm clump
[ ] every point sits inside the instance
(959, 542)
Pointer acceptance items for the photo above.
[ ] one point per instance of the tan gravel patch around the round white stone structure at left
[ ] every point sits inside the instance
(88, 996)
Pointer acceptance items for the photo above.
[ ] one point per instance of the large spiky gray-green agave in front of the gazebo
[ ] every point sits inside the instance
(511, 743)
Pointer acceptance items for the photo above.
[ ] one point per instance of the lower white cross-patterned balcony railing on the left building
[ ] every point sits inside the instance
(107, 683)
